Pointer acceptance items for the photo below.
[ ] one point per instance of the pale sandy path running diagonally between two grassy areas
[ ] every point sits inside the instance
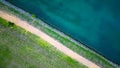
(49, 39)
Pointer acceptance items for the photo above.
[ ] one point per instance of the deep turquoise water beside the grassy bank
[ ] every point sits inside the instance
(94, 23)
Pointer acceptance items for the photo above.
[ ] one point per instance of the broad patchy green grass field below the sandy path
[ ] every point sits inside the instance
(21, 49)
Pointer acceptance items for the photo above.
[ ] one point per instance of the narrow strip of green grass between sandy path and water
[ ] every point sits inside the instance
(63, 39)
